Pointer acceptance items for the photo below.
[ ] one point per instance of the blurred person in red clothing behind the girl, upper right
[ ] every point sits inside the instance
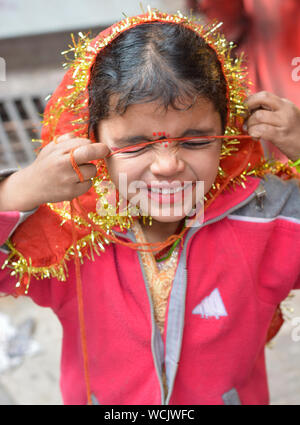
(268, 32)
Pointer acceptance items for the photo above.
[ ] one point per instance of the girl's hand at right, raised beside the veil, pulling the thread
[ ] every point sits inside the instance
(276, 120)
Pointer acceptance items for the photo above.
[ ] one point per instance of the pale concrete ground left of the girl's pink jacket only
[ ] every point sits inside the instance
(36, 380)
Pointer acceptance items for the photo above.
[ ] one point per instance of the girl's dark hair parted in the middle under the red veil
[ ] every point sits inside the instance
(162, 62)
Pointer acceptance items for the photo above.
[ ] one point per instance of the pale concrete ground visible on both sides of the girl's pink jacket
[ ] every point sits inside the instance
(36, 380)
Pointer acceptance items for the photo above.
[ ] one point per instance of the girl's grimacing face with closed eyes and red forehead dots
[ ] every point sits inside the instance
(161, 177)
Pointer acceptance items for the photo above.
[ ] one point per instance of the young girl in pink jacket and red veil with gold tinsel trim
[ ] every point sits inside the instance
(157, 305)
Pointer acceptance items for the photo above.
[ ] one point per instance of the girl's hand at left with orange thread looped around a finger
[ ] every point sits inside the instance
(51, 177)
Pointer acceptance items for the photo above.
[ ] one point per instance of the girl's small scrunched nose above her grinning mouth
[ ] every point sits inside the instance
(166, 162)
